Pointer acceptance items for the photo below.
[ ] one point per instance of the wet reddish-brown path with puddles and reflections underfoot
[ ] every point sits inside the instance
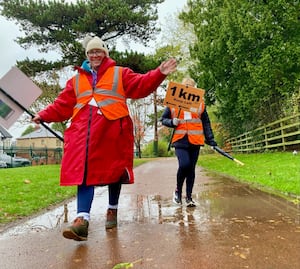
(233, 226)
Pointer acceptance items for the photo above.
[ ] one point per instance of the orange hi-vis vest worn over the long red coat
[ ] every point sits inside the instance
(108, 93)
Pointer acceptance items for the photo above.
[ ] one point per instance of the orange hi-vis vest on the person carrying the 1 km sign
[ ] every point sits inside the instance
(192, 127)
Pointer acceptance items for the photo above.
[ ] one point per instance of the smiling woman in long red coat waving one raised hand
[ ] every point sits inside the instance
(98, 144)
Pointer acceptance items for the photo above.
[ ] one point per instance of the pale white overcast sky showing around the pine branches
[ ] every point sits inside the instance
(12, 52)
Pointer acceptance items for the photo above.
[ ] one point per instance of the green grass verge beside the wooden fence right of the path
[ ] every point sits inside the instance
(278, 172)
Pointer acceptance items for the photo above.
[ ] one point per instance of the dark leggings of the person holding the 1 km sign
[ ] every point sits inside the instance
(187, 160)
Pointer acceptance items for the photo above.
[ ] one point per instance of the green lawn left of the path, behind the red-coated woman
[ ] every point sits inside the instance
(27, 190)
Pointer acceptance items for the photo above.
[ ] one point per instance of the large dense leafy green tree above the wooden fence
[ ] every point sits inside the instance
(247, 58)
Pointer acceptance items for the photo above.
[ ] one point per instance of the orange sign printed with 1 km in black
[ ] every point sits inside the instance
(184, 97)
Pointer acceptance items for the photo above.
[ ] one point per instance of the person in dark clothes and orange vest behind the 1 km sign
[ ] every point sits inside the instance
(192, 130)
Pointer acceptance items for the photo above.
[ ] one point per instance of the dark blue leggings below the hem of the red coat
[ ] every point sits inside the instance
(85, 196)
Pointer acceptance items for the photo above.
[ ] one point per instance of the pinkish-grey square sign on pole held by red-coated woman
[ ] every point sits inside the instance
(21, 89)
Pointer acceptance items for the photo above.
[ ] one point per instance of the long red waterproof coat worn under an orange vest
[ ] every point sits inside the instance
(101, 148)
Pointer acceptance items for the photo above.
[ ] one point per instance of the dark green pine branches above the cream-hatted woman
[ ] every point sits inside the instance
(60, 25)
